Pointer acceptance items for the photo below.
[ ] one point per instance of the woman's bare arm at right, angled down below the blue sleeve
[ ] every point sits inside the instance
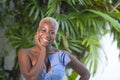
(76, 65)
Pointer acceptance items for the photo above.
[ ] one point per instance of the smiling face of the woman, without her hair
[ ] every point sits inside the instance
(46, 34)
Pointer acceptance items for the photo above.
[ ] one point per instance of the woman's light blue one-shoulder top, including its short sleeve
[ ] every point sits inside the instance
(58, 62)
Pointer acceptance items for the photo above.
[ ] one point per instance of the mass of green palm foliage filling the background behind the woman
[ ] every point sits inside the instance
(82, 23)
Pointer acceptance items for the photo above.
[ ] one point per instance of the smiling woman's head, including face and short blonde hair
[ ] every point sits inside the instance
(47, 31)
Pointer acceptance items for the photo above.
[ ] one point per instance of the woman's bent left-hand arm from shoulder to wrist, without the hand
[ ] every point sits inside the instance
(30, 72)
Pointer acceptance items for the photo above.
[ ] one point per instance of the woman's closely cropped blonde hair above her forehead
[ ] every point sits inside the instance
(52, 21)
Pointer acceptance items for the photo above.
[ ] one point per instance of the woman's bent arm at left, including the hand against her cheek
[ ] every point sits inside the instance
(32, 72)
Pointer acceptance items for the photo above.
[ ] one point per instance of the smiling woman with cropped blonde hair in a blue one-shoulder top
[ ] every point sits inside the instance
(43, 61)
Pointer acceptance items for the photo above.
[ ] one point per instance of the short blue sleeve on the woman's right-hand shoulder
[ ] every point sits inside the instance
(64, 58)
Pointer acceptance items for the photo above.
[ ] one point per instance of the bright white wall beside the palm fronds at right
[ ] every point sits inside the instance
(110, 71)
